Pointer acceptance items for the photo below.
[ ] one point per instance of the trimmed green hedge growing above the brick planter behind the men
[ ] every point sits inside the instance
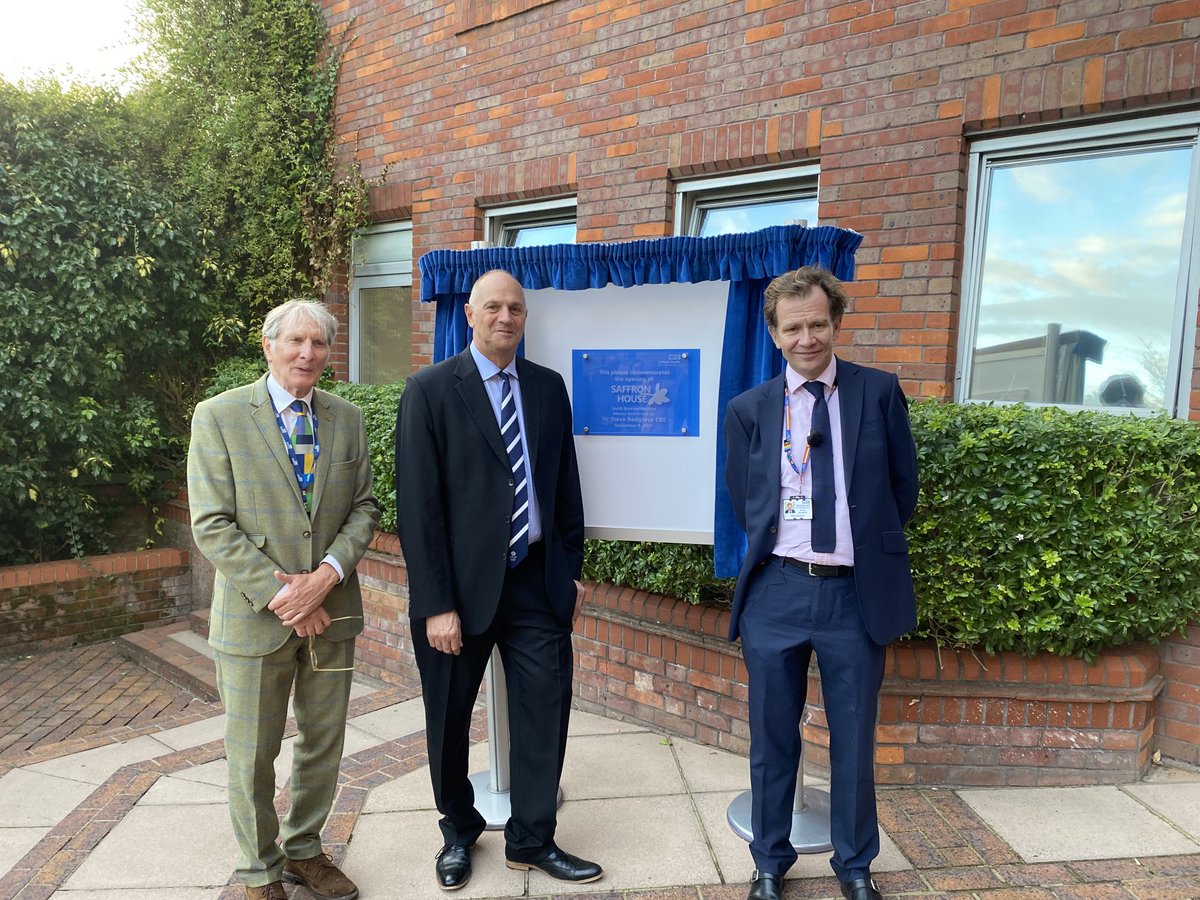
(1037, 530)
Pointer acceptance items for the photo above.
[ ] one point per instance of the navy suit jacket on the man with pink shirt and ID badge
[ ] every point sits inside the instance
(880, 460)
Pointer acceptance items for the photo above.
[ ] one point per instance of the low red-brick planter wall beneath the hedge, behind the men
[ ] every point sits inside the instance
(946, 717)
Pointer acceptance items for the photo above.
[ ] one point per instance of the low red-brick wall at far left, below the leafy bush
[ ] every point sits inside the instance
(94, 599)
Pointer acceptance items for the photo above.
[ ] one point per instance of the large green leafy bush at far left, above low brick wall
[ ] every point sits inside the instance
(103, 303)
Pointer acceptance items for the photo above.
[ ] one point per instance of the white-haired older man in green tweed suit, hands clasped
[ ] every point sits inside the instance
(279, 481)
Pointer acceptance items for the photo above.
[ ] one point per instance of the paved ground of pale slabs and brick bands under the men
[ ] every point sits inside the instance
(134, 809)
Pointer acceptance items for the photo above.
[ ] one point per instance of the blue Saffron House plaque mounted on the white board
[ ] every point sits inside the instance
(637, 393)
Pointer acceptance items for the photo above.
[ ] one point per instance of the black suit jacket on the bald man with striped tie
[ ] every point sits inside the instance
(454, 490)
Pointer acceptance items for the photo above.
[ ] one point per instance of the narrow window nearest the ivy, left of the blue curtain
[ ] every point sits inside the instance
(382, 304)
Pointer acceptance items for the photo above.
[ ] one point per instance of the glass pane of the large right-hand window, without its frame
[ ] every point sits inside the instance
(1079, 279)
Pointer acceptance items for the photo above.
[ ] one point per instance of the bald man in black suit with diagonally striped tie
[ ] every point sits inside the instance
(491, 521)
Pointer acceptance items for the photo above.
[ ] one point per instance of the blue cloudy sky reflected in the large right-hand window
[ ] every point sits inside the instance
(1091, 244)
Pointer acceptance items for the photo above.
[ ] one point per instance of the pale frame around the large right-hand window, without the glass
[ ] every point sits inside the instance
(1103, 140)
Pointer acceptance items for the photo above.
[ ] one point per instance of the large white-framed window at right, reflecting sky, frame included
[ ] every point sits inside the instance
(1081, 275)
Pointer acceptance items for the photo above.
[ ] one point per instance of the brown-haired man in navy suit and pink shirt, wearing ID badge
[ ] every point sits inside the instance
(823, 475)
